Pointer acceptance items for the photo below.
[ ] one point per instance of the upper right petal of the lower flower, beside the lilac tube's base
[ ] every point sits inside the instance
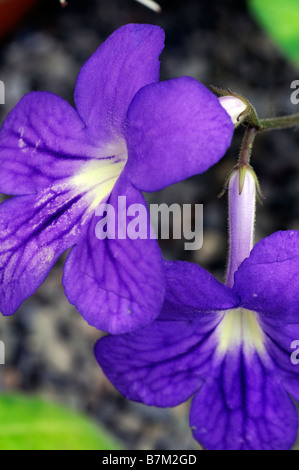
(268, 281)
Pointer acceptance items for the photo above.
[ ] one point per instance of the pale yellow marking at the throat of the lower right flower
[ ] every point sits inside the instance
(240, 326)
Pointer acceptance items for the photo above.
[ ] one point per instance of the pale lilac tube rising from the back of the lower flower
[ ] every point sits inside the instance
(241, 218)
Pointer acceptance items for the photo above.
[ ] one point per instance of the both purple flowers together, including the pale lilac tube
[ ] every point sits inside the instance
(176, 331)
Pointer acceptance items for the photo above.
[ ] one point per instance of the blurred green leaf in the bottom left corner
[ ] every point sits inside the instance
(34, 424)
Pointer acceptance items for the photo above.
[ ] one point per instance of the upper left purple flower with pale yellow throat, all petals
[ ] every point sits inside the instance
(129, 133)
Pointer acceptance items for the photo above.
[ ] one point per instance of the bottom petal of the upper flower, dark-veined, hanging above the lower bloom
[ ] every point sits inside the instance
(116, 284)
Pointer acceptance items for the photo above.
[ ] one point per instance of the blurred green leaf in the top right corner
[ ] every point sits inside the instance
(280, 18)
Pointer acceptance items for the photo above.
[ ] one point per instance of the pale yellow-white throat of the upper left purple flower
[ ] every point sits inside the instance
(97, 177)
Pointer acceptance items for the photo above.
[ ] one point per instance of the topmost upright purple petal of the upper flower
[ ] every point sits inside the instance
(125, 62)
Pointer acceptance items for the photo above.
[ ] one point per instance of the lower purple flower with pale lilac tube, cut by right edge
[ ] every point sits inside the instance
(229, 346)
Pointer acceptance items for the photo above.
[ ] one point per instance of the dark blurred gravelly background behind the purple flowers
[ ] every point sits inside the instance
(49, 348)
